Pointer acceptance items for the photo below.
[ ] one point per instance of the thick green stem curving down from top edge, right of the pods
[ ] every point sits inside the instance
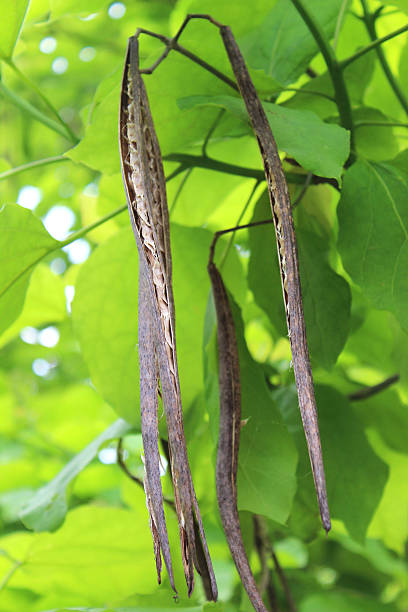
(333, 66)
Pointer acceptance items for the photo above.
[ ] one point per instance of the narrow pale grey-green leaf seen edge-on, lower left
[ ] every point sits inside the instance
(47, 509)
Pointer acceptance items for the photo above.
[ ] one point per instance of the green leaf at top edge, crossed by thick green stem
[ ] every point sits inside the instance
(282, 45)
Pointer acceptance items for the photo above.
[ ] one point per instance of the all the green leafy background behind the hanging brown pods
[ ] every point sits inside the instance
(74, 527)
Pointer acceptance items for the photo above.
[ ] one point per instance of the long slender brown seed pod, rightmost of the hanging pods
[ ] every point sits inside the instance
(289, 267)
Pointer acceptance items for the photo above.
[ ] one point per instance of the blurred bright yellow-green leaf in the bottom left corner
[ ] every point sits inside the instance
(99, 554)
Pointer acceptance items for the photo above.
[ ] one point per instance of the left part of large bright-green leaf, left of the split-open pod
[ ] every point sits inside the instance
(104, 314)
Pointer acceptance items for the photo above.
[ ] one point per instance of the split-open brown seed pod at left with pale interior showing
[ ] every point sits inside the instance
(144, 183)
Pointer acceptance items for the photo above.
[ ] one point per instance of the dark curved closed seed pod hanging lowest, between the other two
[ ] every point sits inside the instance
(229, 432)
